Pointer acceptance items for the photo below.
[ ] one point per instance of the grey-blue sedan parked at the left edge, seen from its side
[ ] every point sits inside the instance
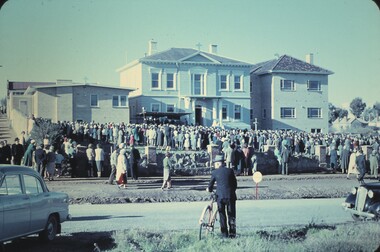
(27, 206)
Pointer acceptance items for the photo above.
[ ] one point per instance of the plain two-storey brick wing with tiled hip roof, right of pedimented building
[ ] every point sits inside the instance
(290, 94)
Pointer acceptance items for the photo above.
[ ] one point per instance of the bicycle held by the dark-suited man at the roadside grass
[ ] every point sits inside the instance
(208, 218)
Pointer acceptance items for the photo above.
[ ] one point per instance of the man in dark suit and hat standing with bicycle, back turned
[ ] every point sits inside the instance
(225, 195)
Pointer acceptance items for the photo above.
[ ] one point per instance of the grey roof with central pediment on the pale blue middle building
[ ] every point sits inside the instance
(187, 56)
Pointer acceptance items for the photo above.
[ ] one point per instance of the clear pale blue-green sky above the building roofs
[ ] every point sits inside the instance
(46, 40)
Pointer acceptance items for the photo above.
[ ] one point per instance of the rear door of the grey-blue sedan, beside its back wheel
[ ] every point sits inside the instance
(39, 202)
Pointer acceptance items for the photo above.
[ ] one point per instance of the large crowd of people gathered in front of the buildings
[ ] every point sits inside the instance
(237, 145)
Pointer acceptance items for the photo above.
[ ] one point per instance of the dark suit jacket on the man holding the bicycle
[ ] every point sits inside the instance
(226, 183)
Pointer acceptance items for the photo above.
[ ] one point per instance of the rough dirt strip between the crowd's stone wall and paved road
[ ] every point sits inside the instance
(296, 186)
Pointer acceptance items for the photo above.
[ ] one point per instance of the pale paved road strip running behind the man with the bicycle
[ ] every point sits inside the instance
(251, 214)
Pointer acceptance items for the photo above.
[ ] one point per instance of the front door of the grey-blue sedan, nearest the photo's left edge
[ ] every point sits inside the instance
(16, 208)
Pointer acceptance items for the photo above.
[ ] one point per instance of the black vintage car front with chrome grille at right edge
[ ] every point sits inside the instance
(364, 202)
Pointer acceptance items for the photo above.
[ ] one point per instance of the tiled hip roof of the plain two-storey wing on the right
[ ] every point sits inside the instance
(287, 64)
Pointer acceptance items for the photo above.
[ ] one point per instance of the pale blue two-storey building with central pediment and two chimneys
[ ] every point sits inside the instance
(202, 87)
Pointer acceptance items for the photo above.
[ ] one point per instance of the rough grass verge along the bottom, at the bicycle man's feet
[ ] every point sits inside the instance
(359, 236)
